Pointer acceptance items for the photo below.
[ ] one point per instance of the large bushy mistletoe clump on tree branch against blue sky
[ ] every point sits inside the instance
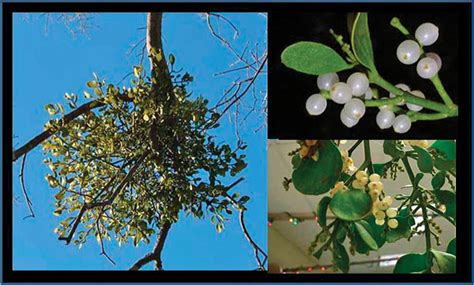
(125, 164)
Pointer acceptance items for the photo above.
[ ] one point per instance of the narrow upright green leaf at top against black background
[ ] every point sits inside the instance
(361, 43)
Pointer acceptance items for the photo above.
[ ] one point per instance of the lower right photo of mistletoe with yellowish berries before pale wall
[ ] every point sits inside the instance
(362, 206)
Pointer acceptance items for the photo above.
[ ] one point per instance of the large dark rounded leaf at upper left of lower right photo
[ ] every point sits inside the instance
(318, 177)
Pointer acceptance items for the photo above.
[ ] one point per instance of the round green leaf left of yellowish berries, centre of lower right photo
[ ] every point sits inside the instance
(351, 205)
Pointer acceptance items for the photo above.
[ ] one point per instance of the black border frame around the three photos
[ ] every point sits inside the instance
(464, 263)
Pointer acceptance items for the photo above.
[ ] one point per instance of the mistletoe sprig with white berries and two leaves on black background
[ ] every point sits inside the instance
(356, 94)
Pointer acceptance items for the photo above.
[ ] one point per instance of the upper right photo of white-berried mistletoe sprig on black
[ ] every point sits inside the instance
(385, 72)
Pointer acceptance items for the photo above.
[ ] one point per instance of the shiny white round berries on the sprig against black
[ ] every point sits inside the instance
(356, 88)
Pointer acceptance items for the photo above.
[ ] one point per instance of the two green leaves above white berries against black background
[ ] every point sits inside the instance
(315, 58)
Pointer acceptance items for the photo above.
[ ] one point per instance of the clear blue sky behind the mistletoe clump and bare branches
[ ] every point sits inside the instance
(45, 66)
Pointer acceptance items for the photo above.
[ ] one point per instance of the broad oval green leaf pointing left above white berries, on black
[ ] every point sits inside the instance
(313, 58)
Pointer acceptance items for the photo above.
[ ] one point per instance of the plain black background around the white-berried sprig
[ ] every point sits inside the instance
(289, 89)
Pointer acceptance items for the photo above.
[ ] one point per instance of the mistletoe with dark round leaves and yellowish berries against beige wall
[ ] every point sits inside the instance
(369, 215)
